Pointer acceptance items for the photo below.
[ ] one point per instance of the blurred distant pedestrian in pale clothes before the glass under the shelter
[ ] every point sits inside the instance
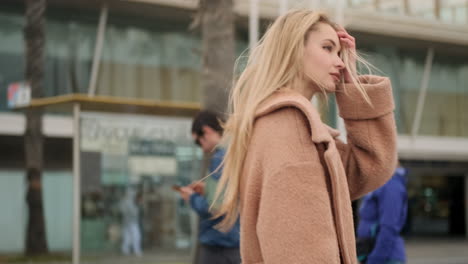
(131, 234)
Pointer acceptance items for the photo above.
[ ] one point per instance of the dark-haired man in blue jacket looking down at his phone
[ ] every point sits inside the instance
(216, 246)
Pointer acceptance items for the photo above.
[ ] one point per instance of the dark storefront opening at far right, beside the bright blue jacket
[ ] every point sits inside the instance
(436, 198)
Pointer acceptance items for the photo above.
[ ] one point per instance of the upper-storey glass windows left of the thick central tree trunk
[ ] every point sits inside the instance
(137, 61)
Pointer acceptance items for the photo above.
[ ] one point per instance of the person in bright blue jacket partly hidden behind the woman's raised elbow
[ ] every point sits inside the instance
(382, 216)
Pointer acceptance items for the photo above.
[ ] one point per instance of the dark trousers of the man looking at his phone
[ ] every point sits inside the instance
(218, 255)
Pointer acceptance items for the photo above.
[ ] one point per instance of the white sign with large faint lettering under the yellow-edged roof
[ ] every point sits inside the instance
(126, 134)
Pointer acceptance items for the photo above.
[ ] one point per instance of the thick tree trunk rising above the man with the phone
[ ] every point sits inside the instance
(217, 27)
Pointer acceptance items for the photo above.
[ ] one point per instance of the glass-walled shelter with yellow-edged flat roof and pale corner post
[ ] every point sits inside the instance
(121, 144)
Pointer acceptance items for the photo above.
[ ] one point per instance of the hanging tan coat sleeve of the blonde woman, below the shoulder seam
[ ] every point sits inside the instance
(295, 222)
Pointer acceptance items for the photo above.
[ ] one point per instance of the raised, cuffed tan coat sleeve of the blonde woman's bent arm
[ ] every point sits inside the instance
(369, 157)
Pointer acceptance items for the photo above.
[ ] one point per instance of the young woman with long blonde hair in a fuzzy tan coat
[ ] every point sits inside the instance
(285, 172)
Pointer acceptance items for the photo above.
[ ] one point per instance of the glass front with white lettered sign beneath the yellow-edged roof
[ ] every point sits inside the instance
(145, 154)
